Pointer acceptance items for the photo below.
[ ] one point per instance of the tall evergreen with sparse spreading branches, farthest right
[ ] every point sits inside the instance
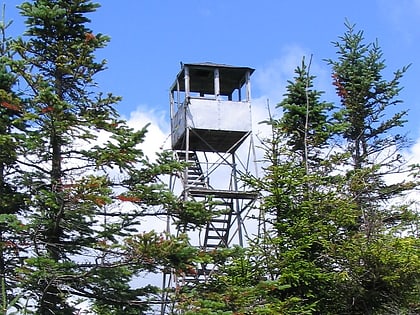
(382, 237)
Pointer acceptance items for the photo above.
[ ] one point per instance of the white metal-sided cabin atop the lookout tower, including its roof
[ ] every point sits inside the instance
(210, 107)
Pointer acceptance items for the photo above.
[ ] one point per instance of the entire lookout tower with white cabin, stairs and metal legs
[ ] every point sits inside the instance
(210, 107)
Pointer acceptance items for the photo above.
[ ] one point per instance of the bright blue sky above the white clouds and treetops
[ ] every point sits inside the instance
(150, 38)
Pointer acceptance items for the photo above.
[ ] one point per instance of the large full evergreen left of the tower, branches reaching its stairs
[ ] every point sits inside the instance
(84, 243)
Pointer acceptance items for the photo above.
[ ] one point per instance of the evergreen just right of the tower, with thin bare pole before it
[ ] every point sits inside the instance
(298, 200)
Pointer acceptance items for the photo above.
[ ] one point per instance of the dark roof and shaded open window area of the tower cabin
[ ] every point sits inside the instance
(202, 77)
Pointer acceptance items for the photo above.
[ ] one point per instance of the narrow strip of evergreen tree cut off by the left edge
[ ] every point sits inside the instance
(12, 236)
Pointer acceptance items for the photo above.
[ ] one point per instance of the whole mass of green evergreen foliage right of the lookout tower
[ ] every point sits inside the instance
(340, 231)
